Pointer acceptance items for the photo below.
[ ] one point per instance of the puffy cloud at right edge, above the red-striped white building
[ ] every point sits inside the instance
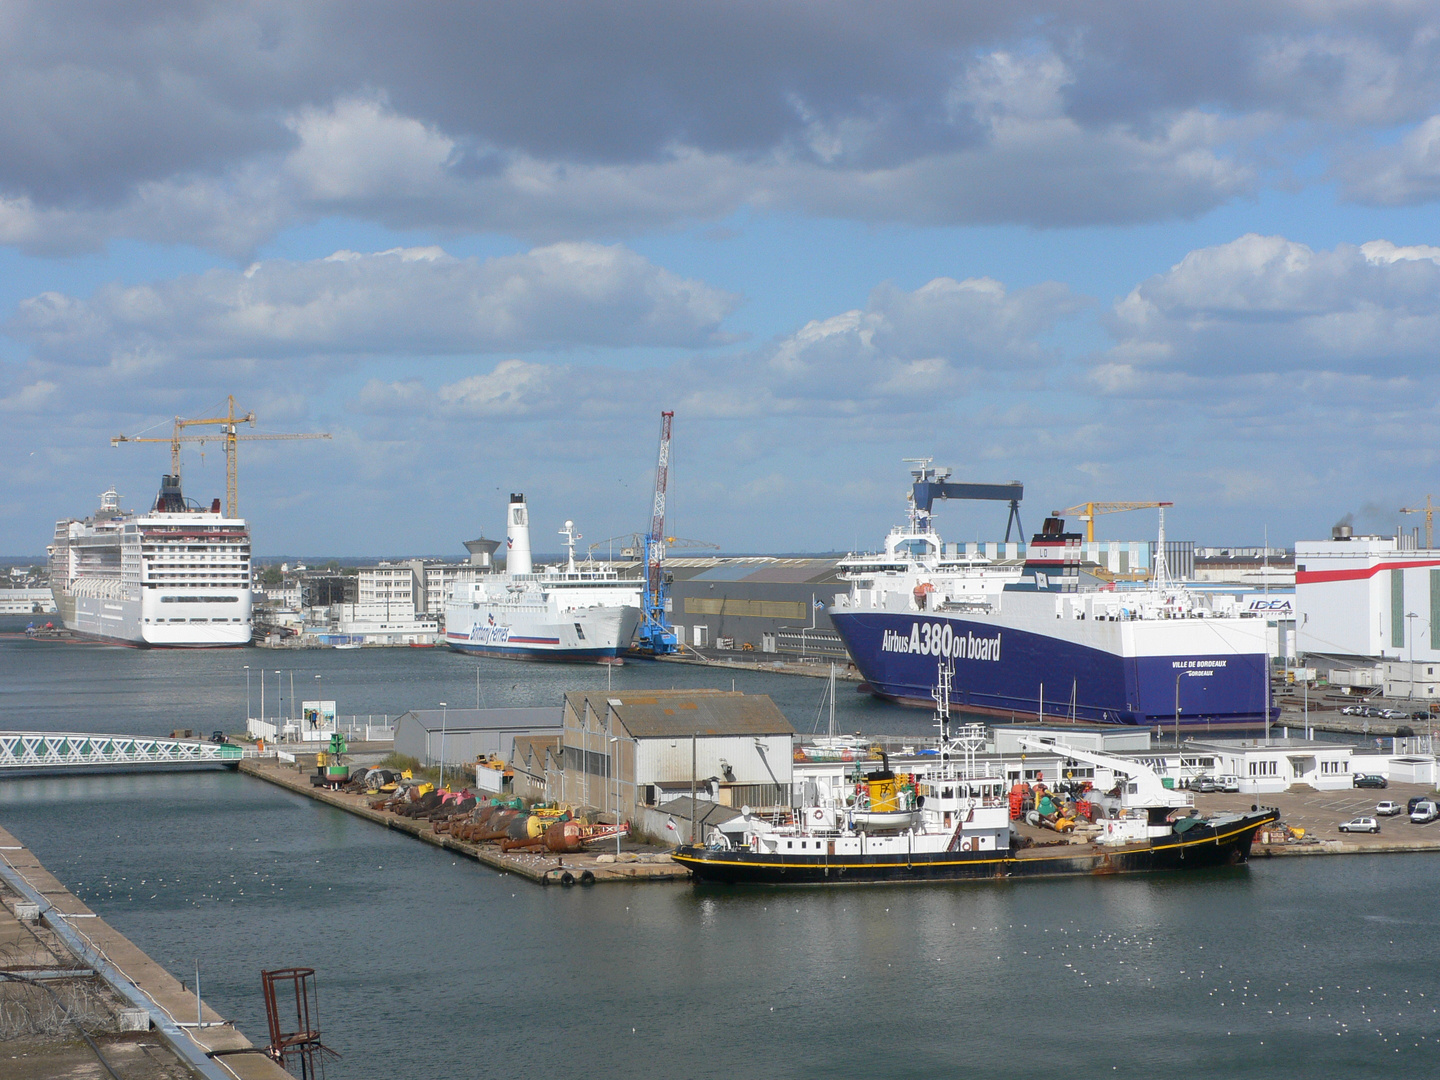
(1272, 305)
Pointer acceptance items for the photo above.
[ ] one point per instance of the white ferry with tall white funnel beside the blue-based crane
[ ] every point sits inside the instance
(572, 613)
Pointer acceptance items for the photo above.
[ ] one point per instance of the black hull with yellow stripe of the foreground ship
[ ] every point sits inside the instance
(1202, 847)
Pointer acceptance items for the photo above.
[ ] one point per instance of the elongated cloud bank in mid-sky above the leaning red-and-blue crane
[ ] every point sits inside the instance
(904, 354)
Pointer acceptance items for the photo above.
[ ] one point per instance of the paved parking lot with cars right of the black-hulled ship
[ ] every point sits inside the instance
(1320, 813)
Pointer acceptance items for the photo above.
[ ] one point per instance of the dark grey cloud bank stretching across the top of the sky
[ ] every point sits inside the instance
(221, 126)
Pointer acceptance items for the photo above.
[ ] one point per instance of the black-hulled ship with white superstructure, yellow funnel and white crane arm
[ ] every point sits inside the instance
(957, 824)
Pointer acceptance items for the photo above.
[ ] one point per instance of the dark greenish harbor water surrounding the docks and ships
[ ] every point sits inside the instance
(441, 968)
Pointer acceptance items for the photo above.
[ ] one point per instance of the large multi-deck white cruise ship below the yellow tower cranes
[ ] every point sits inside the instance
(178, 575)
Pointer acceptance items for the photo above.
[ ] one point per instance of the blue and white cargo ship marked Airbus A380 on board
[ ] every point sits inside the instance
(1036, 640)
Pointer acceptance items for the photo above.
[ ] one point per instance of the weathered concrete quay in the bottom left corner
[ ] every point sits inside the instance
(116, 986)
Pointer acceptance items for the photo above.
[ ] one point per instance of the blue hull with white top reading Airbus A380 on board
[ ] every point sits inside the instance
(1114, 673)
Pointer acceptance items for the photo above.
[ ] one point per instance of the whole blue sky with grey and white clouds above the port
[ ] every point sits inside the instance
(1114, 251)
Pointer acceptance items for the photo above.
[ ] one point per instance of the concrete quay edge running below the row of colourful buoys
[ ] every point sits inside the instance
(542, 869)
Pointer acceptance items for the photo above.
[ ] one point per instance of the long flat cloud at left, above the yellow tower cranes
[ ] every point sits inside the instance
(410, 302)
